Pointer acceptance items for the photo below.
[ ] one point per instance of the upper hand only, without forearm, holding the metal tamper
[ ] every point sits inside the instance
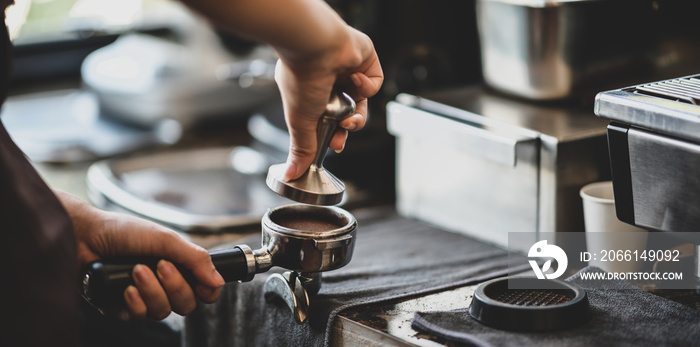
(351, 65)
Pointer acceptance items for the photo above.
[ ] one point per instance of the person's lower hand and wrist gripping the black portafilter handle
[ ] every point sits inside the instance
(103, 234)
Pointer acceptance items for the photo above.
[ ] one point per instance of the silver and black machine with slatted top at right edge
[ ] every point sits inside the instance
(654, 145)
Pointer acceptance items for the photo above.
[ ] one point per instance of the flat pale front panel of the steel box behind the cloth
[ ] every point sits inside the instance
(461, 176)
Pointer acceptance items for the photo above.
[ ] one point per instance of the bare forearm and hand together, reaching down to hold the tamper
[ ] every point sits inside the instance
(317, 51)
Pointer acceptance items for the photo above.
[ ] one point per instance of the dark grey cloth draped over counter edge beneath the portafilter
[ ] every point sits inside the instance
(394, 257)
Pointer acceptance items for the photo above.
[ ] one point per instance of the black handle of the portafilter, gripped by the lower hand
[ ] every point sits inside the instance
(104, 282)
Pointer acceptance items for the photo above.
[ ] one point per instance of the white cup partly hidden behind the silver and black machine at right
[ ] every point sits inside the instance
(611, 243)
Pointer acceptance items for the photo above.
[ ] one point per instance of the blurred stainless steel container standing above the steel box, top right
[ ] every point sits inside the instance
(554, 49)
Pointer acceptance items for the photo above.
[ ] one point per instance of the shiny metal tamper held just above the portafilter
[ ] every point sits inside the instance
(317, 186)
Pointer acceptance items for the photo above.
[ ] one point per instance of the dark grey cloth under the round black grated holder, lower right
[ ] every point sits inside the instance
(621, 315)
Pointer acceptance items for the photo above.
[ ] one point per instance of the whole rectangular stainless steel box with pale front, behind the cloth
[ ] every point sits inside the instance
(480, 164)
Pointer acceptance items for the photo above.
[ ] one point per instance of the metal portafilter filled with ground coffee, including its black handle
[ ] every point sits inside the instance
(304, 239)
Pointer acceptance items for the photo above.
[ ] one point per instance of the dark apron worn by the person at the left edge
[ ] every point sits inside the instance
(38, 264)
